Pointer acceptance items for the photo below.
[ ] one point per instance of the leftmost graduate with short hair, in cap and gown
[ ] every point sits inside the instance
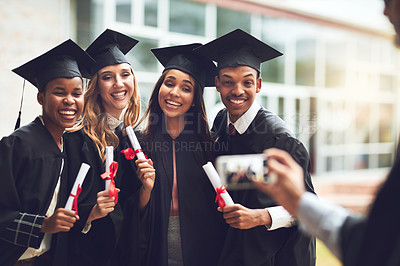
(32, 162)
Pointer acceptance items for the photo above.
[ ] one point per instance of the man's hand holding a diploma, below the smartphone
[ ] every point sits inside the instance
(238, 216)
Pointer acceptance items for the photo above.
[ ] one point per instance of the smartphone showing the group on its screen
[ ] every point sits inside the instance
(238, 171)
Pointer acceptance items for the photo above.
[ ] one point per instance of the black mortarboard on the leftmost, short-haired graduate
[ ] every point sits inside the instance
(63, 61)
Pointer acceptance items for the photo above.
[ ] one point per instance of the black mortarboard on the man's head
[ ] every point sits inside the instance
(238, 48)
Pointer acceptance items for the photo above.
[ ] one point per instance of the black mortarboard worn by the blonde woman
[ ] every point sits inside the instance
(109, 49)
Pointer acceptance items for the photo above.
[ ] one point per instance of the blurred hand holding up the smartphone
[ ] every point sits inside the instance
(289, 184)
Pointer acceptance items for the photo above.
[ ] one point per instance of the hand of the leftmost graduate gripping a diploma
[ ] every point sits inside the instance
(62, 220)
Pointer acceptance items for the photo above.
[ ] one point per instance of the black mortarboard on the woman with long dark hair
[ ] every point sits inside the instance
(182, 57)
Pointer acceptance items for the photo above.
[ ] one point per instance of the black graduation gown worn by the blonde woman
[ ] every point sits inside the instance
(98, 246)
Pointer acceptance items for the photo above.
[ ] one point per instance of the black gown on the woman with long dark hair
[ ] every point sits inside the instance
(201, 225)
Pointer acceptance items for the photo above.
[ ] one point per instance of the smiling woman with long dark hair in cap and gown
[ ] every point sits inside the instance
(180, 223)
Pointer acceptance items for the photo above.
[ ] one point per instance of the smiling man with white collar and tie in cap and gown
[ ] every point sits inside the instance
(245, 127)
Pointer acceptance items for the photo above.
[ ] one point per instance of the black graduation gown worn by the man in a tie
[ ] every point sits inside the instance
(258, 246)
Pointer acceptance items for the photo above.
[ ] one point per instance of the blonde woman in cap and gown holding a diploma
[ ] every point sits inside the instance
(112, 102)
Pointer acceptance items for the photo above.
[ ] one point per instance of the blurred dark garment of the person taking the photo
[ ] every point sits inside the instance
(375, 239)
